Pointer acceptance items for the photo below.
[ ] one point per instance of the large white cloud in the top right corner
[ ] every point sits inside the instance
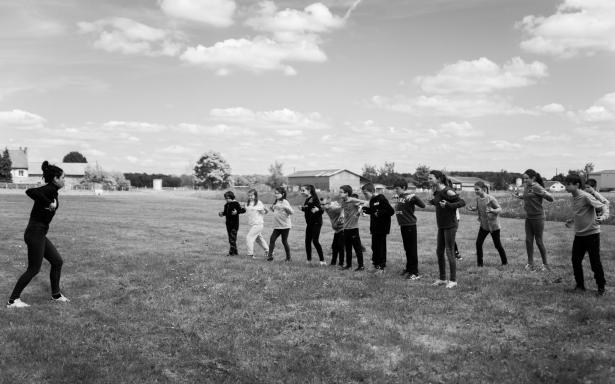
(578, 26)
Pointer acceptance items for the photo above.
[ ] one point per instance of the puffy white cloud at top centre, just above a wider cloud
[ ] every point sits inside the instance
(291, 25)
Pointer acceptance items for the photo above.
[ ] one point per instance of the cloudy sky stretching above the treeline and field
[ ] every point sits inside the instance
(150, 85)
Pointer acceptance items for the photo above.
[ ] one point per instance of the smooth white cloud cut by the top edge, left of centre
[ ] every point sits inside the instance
(218, 13)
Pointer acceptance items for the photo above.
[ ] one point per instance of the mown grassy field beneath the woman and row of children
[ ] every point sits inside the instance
(154, 300)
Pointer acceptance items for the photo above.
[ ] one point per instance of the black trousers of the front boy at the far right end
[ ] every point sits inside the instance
(591, 245)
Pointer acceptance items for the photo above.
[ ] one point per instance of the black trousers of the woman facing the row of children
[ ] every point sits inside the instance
(39, 247)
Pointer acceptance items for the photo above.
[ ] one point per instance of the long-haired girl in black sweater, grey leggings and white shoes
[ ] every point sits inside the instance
(446, 202)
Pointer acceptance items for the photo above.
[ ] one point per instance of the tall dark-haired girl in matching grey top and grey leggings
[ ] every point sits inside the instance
(533, 195)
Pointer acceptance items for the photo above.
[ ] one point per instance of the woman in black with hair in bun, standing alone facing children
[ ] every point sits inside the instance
(39, 247)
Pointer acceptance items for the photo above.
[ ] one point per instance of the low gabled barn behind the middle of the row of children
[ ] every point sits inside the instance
(327, 179)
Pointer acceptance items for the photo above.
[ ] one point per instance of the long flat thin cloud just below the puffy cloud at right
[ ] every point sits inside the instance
(456, 106)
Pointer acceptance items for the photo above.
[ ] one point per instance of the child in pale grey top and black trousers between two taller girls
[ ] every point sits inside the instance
(488, 217)
